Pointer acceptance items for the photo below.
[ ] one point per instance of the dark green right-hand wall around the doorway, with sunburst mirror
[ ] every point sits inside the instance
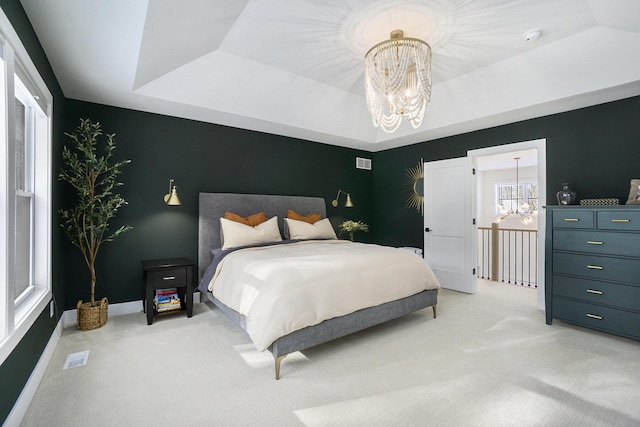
(593, 148)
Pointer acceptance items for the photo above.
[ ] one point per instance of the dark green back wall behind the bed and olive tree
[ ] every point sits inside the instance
(201, 157)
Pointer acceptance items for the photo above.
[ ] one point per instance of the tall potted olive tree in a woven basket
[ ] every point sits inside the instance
(93, 175)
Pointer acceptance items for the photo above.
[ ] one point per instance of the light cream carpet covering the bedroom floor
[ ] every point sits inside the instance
(488, 360)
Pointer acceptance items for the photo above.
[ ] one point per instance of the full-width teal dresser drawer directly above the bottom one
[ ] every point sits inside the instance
(592, 291)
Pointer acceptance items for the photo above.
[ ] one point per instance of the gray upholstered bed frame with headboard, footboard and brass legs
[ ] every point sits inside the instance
(212, 206)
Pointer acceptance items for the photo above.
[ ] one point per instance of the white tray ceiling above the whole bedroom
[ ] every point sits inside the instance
(295, 68)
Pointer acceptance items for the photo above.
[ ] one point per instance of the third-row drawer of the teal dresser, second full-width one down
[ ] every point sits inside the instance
(597, 267)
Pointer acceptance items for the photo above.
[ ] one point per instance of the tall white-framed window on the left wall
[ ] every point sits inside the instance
(25, 196)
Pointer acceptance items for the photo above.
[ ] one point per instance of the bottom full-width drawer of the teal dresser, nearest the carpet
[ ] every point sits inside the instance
(593, 316)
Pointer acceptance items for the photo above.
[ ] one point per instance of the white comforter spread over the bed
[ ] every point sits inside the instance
(283, 288)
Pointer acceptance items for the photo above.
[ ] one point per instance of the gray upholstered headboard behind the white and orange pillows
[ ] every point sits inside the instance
(214, 205)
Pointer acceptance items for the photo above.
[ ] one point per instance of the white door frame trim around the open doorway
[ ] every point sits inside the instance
(541, 146)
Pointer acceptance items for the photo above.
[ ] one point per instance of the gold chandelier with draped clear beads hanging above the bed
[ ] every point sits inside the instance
(398, 81)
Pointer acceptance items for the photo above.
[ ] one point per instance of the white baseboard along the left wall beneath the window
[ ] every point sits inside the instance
(26, 396)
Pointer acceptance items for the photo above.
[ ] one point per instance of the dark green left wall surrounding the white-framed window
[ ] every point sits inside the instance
(16, 369)
